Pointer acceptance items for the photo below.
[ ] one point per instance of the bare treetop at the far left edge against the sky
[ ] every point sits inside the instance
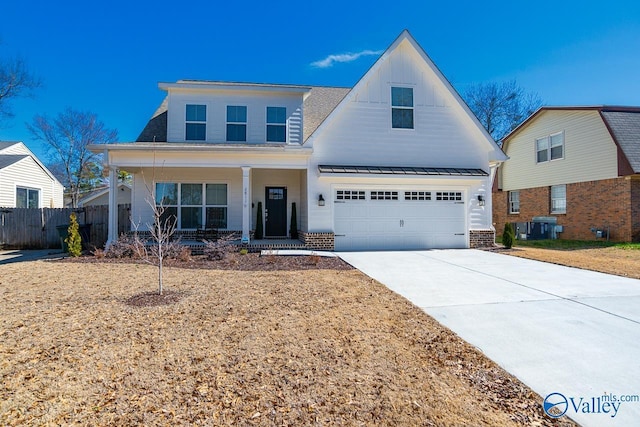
(15, 81)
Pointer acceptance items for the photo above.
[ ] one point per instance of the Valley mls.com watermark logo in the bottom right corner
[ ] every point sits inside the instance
(557, 404)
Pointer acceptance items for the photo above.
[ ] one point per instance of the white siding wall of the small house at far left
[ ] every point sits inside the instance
(27, 173)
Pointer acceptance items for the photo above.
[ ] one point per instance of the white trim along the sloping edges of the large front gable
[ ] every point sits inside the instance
(469, 120)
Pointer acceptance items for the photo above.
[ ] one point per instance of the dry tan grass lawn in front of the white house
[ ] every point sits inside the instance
(316, 347)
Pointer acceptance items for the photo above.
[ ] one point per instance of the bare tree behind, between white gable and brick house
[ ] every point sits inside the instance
(501, 107)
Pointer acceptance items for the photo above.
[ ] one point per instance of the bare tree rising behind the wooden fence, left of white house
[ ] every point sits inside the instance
(67, 137)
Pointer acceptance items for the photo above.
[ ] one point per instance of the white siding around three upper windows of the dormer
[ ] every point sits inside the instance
(216, 102)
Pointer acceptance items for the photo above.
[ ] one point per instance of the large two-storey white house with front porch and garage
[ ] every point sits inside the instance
(397, 162)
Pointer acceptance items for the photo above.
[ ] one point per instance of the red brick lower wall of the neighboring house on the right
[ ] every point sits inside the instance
(604, 204)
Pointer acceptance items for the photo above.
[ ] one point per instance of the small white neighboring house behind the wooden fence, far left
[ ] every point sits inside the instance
(24, 181)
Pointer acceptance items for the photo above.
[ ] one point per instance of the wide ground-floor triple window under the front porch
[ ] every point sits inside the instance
(193, 205)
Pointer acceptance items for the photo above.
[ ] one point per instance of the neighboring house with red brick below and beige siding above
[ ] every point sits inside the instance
(577, 166)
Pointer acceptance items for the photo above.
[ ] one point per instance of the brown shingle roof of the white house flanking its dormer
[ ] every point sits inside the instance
(320, 102)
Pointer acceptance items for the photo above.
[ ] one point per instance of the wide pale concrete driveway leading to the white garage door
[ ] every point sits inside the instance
(559, 329)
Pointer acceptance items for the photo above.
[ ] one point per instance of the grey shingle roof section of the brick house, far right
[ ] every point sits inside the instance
(625, 129)
